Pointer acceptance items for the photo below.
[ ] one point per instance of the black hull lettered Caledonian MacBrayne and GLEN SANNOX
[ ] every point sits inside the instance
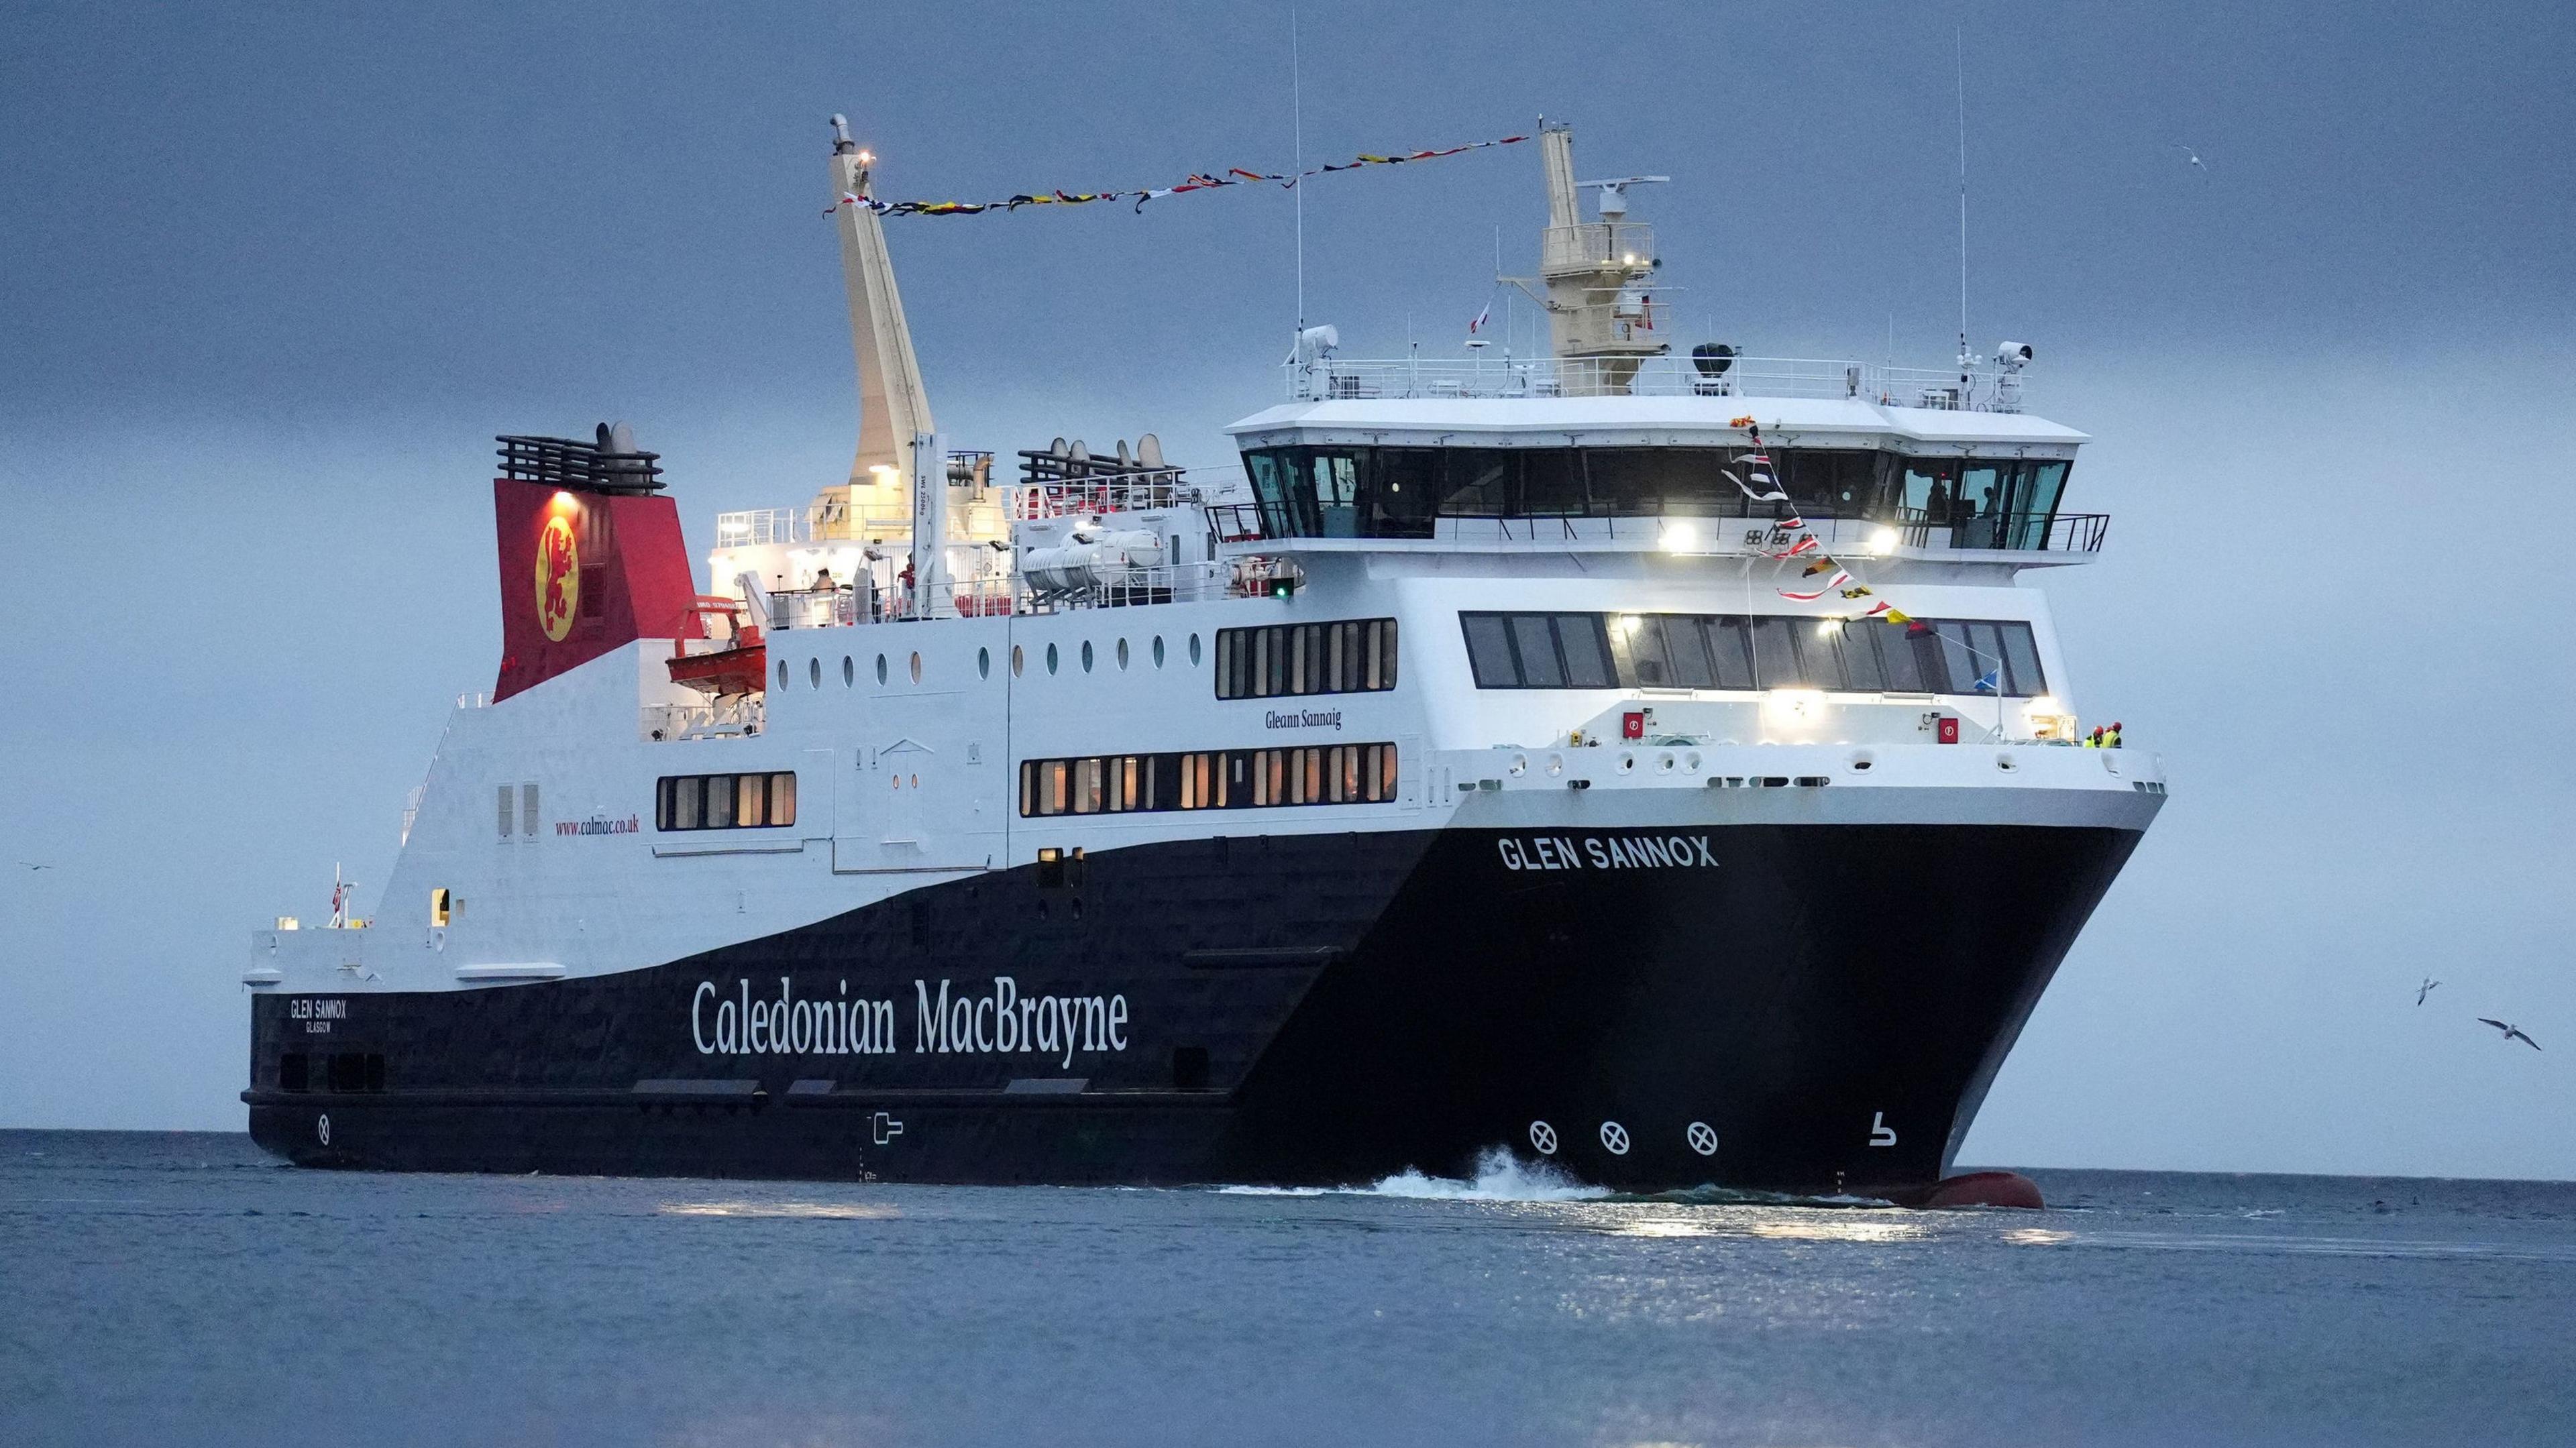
(1820, 1004)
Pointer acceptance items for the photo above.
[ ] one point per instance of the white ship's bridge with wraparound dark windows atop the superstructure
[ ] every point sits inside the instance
(1650, 470)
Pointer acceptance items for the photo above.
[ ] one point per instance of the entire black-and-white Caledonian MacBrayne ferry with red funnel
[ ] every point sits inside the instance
(1475, 772)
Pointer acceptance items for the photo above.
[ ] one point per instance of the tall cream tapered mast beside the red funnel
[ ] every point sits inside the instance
(893, 406)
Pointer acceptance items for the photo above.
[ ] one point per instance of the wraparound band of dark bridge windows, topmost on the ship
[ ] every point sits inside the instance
(1397, 493)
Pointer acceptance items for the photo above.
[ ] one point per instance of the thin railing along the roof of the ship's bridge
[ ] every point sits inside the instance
(1949, 390)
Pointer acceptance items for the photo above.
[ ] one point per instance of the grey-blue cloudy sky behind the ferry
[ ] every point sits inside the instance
(272, 280)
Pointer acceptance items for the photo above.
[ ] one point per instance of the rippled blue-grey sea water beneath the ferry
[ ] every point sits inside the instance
(189, 1290)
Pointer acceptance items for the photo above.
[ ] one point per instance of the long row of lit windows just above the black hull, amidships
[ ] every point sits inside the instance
(1209, 779)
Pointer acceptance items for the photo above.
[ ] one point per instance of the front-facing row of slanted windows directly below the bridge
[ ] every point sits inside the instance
(1696, 651)
